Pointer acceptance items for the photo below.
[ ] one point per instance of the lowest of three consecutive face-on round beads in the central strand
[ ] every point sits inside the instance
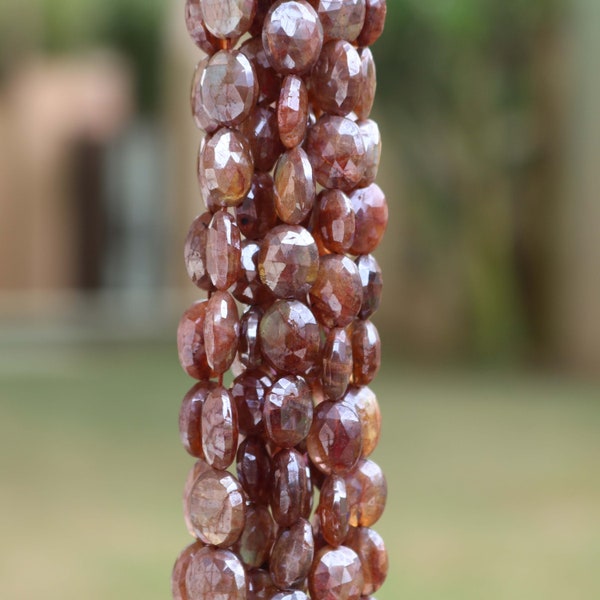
(288, 411)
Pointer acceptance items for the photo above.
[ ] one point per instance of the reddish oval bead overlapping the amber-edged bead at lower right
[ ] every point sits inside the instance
(334, 442)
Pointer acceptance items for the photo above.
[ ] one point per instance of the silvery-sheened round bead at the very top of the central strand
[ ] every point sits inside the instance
(292, 36)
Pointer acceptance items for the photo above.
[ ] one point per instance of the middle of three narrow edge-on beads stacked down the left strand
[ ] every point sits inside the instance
(221, 331)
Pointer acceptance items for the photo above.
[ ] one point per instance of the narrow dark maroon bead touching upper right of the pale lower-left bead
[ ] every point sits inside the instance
(254, 469)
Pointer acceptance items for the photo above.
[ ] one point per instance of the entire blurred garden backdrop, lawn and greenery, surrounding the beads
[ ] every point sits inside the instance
(490, 320)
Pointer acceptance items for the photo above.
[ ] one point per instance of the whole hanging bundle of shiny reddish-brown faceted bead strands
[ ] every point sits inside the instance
(286, 173)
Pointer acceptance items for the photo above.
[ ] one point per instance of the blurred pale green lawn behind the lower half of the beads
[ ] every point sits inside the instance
(494, 479)
